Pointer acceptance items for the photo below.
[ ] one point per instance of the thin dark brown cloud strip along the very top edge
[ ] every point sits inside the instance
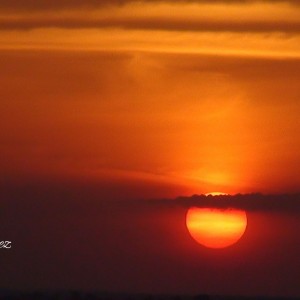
(66, 4)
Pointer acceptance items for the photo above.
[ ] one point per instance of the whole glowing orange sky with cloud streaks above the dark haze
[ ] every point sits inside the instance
(199, 95)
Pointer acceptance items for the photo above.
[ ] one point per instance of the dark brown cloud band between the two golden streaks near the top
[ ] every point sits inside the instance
(151, 24)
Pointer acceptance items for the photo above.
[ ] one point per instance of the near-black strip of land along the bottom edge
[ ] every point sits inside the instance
(76, 295)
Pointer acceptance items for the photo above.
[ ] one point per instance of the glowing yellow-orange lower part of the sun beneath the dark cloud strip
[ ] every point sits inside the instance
(216, 228)
